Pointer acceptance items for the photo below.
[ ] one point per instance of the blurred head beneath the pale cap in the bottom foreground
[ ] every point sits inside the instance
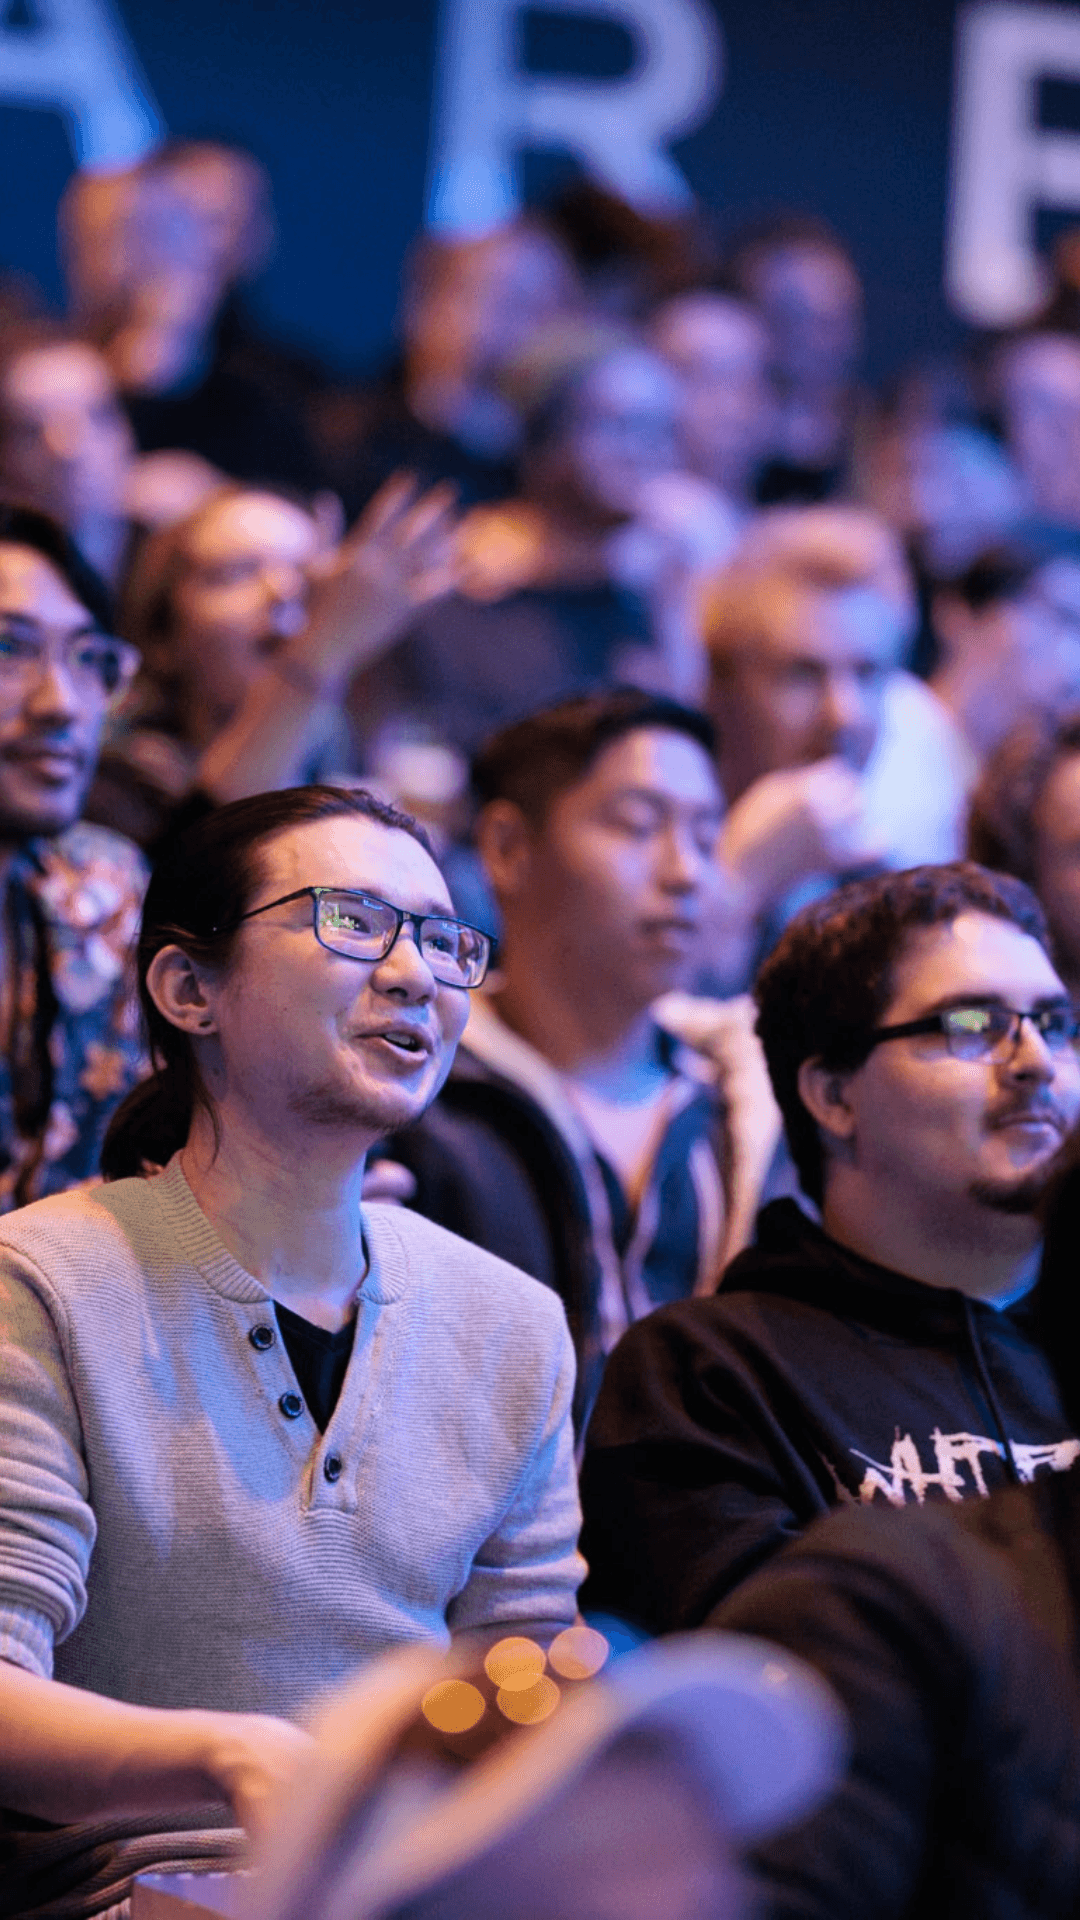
(626, 1844)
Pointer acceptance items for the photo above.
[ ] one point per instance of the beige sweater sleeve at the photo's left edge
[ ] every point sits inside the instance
(47, 1524)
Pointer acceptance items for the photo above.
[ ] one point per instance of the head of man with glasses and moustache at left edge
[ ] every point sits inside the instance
(61, 671)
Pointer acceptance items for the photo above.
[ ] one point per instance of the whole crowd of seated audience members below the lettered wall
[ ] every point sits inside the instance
(539, 1082)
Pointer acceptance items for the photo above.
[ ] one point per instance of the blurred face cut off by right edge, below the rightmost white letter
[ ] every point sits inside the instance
(1037, 393)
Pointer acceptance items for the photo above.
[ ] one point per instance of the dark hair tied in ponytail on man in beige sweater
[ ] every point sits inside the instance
(203, 884)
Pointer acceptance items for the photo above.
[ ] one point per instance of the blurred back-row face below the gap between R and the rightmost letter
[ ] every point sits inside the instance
(814, 304)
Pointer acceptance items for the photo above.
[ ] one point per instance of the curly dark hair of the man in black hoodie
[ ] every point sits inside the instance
(829, 980)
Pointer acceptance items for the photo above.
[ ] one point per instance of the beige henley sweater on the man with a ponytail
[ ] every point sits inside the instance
(170, 1535)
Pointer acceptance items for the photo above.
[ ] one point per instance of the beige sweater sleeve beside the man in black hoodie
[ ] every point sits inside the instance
(529, 1568)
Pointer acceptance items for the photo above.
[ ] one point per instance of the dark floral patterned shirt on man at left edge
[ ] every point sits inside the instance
(72, 917)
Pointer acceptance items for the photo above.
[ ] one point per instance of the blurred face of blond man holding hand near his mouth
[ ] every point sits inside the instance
(810, 686)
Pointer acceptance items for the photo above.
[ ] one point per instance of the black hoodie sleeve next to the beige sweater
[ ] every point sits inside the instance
(691, 1474)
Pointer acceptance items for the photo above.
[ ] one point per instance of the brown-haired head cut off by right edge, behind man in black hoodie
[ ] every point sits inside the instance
(1025, 821)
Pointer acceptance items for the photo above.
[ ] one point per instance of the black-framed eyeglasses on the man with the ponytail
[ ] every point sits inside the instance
(364, 928)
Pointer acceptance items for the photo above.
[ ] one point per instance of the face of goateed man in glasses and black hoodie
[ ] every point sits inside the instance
(966, 1130)
